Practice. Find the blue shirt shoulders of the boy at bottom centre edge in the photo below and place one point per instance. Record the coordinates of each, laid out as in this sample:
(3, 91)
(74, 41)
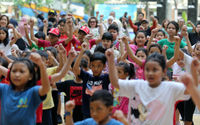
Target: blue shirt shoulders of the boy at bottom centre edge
(91, 121)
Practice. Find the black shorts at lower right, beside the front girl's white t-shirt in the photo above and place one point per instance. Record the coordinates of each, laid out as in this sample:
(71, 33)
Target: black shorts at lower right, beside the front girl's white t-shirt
(186, 109)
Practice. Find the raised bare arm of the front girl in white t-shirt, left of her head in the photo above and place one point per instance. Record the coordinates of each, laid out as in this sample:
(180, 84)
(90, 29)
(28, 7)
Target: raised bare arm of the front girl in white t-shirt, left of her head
(112, 68)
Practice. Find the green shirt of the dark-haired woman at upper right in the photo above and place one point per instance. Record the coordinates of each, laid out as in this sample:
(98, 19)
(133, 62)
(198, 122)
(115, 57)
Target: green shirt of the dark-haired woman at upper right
(170, 50)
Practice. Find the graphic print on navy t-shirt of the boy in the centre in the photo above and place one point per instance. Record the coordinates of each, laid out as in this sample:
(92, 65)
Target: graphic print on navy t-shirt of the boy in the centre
(93, 86)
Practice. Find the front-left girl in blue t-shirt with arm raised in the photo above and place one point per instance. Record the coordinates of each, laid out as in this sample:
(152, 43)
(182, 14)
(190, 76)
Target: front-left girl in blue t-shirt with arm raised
(22, 96)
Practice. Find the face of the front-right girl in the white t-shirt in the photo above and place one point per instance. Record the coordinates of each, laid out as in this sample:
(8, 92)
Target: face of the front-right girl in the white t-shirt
(153, 73)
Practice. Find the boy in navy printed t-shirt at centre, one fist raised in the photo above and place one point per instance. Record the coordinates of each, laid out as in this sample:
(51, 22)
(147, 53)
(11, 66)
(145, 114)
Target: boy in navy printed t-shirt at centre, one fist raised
(94, 82)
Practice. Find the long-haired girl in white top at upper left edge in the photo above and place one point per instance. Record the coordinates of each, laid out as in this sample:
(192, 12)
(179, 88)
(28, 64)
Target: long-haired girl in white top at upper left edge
(5, 44)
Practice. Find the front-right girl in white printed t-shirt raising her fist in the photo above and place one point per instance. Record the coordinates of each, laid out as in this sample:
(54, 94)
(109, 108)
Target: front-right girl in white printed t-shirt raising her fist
(155, 98)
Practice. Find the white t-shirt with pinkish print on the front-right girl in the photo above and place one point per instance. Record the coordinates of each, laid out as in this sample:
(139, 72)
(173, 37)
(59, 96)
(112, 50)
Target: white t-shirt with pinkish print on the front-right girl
(152, 106)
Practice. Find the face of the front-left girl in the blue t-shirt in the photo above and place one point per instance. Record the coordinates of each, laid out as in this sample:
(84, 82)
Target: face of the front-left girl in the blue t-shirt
(20, 75)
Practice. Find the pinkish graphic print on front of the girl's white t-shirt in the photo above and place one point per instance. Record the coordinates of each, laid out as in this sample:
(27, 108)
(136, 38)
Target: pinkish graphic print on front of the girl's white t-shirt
(139, 114)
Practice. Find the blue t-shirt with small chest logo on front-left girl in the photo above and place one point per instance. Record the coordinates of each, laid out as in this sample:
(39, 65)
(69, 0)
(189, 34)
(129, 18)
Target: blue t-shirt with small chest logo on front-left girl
(19, 108)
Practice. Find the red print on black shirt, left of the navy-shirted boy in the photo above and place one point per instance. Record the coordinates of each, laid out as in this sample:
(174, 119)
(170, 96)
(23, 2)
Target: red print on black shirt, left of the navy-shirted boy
(76, 94)
